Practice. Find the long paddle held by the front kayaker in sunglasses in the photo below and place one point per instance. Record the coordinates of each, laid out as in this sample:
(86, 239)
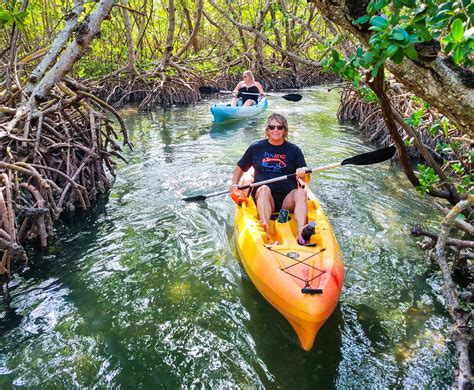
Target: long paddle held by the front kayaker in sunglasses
(369, 158)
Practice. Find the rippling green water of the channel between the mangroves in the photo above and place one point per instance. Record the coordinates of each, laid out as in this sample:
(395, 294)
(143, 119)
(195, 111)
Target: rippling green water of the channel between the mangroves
(146, 291)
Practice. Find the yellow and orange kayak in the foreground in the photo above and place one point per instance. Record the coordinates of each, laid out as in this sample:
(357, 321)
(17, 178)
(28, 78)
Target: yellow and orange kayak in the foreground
(302, 282)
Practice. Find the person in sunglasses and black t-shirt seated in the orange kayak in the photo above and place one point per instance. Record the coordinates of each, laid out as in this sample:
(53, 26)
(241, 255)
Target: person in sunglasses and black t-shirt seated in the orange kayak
(272, 157)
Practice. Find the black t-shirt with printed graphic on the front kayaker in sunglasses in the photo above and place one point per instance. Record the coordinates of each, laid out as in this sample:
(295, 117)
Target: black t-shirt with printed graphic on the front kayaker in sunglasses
(271, 161)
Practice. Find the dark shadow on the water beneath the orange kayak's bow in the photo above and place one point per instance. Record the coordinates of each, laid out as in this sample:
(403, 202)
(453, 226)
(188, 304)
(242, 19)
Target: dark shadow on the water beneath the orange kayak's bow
(277, 344)
